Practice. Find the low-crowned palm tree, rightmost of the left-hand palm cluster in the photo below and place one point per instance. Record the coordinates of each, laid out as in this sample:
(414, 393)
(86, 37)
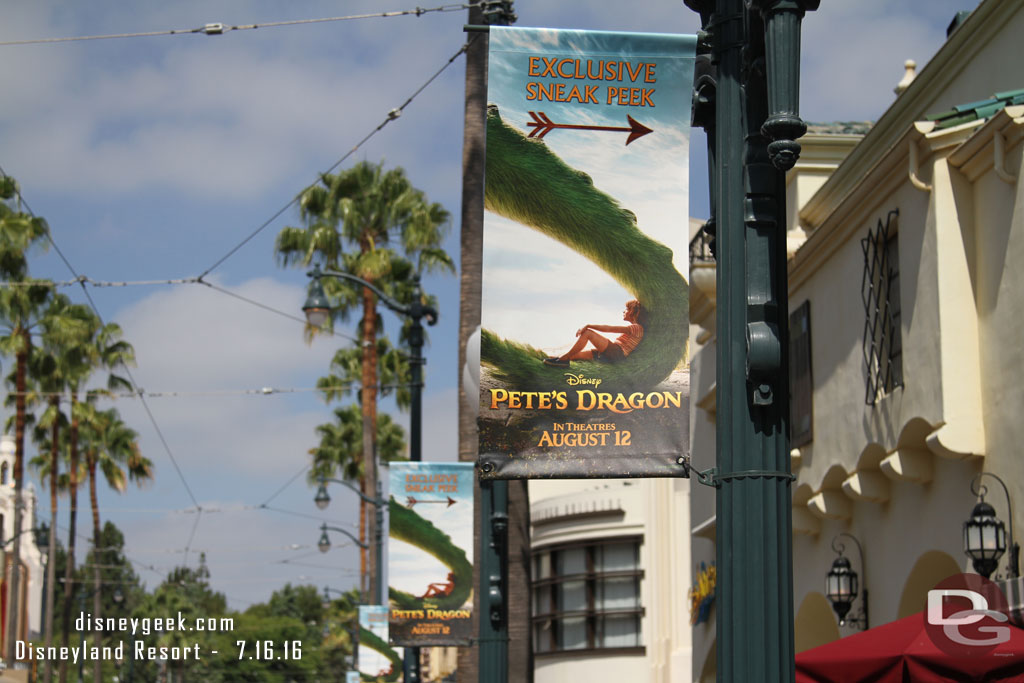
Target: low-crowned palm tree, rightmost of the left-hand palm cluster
(111, 448)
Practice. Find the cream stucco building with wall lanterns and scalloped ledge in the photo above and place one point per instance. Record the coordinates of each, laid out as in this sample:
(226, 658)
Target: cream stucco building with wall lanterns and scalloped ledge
(907, 300)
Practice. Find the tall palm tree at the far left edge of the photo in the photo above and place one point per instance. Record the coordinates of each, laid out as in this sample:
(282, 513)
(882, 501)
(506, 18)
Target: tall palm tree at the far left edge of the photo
(21, 304)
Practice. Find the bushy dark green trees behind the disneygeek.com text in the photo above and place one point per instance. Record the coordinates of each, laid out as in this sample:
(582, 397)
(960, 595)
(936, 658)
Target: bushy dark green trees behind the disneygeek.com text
(318, 632)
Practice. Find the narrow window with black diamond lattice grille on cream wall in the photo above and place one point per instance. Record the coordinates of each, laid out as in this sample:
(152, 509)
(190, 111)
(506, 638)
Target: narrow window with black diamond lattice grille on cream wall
(883, 344)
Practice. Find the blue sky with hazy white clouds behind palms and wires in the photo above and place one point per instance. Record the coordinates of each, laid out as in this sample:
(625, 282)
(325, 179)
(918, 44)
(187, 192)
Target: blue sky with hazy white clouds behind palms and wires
(167, 157)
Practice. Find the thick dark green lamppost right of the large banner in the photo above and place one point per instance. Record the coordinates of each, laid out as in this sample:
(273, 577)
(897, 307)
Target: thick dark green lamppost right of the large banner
(754, 92)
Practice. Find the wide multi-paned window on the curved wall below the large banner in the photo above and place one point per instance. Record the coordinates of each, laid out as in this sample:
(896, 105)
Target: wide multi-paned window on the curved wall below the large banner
(587, 596)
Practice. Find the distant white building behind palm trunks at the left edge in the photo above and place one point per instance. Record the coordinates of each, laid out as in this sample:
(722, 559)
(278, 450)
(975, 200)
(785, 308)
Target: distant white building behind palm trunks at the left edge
(30, 623)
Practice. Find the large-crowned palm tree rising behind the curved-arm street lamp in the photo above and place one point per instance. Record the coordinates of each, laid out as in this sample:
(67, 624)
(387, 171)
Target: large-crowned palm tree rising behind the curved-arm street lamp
(352, 222)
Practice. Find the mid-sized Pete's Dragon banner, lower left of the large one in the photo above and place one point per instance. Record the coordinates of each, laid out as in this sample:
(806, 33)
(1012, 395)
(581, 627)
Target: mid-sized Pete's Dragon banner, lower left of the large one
(431, 551)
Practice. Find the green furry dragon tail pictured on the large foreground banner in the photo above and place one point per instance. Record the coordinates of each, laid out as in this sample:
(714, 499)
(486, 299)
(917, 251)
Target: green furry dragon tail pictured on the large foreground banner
(529, 184)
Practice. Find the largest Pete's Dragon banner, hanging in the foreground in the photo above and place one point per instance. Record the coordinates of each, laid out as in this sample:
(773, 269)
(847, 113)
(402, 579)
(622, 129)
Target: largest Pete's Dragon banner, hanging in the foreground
(585, 311)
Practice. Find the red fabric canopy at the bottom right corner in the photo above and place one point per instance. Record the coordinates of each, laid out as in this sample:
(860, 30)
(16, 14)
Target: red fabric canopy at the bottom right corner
(902, 653)
